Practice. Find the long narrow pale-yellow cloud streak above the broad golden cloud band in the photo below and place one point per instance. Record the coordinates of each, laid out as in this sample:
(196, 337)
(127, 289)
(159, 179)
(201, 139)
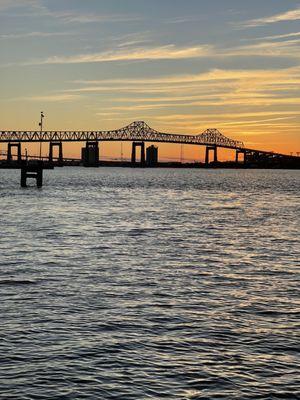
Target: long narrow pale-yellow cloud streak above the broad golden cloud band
(170, 52)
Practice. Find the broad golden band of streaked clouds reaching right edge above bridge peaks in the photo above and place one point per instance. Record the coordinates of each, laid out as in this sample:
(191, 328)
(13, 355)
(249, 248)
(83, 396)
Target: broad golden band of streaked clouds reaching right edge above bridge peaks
(237, 90)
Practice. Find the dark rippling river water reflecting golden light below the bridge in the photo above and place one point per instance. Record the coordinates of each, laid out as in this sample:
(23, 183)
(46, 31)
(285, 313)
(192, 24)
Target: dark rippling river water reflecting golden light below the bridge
(150, 284)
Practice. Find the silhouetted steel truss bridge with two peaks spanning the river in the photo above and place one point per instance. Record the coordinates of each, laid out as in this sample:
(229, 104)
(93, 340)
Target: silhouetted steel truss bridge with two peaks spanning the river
(137, 132)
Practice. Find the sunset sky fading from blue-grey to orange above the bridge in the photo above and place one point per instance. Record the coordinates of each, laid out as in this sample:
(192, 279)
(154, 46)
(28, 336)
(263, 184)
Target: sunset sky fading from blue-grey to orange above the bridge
(181, 66)
